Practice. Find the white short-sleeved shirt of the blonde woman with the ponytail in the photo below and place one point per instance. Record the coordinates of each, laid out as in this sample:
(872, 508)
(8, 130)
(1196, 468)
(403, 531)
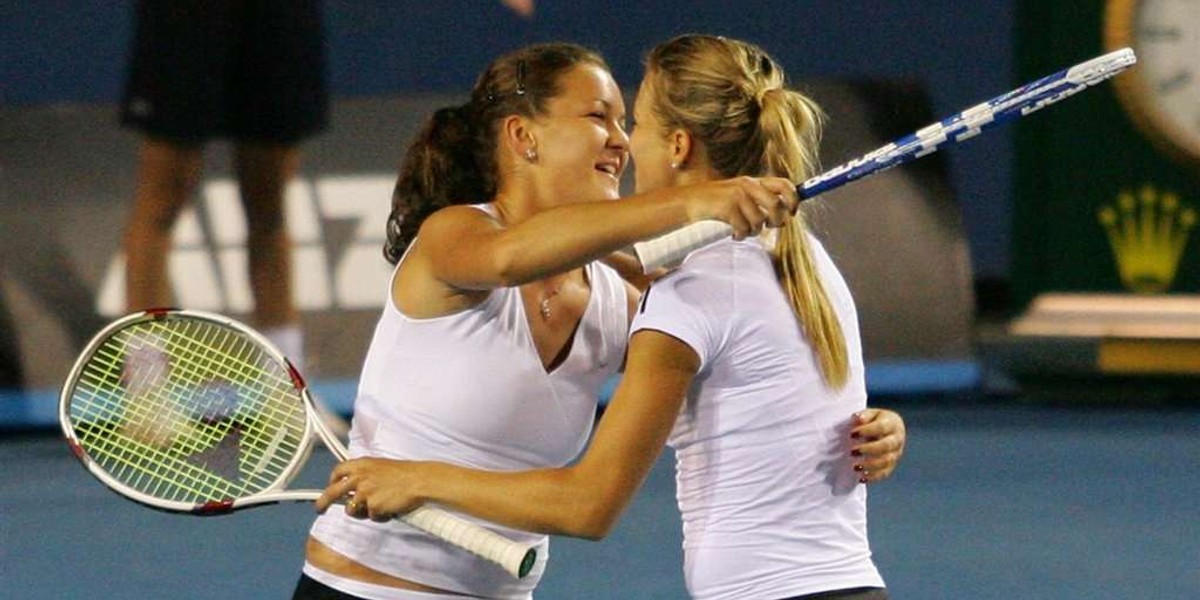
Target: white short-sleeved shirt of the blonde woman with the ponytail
(771, 503)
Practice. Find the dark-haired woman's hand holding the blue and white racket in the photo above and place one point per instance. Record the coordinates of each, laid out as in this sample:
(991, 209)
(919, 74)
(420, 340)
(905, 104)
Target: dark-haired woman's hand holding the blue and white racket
(746, 203)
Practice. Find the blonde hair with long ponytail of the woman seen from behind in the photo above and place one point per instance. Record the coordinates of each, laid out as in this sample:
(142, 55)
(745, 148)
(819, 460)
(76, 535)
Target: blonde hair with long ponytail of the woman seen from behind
(733, 98)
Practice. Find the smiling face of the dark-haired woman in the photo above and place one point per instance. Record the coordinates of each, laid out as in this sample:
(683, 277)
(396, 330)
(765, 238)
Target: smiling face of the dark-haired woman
(580, 139)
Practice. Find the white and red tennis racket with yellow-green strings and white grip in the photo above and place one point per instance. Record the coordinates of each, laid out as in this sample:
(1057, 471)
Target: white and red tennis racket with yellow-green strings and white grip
(197, 413)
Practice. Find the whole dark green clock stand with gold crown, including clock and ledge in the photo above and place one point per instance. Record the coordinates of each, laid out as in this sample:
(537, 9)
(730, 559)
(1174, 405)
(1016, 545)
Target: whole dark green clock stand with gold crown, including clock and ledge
(1106, 245)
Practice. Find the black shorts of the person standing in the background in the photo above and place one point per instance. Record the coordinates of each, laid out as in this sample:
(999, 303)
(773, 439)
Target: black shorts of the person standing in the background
(248, 70)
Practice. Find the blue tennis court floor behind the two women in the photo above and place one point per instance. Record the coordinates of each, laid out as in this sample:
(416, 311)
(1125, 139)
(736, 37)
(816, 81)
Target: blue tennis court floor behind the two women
(995, 501)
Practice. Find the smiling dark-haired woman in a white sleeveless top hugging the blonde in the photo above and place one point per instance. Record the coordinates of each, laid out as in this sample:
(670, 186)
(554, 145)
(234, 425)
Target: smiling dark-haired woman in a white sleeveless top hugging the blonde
(501, 328)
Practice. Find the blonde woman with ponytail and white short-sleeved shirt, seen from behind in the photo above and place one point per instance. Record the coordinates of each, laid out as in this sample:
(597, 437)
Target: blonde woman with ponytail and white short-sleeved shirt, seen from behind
(747, 361)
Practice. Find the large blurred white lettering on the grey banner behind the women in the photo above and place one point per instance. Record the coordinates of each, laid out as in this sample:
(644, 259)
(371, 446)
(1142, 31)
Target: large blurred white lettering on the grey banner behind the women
(208, 263)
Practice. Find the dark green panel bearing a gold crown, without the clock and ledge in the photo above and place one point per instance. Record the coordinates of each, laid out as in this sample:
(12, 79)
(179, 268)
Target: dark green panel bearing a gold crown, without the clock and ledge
(1101, 205)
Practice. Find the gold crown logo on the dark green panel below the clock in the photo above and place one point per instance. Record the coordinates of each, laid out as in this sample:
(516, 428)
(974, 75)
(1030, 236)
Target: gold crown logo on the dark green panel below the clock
(1148, 233)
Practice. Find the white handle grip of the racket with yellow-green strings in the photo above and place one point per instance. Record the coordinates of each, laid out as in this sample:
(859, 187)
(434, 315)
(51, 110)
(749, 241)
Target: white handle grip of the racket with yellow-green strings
(517, 559)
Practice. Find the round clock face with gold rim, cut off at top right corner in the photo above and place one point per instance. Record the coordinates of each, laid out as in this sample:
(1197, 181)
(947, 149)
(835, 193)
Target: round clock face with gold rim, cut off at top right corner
(1163, 92)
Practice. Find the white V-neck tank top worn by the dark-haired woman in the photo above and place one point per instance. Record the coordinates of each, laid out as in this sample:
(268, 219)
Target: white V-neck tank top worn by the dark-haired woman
(471, 389)
